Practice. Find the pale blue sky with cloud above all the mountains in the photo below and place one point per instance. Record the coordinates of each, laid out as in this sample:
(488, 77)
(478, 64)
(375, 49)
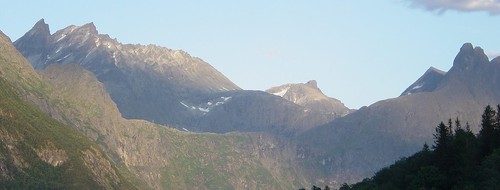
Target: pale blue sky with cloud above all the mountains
(359, 51)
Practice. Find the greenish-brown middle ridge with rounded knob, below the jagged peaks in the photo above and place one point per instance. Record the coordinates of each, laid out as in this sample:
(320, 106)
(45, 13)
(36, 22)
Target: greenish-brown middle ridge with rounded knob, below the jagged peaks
(167, 158)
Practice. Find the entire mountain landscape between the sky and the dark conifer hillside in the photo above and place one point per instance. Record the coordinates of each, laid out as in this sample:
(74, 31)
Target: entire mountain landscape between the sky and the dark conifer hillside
(79, 103)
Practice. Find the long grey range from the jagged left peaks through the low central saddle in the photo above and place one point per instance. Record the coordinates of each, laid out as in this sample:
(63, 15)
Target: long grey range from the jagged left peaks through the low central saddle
(166, 86)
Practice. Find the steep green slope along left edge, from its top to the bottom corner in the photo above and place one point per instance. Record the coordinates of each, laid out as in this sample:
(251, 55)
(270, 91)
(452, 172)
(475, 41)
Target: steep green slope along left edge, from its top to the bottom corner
(36, 151)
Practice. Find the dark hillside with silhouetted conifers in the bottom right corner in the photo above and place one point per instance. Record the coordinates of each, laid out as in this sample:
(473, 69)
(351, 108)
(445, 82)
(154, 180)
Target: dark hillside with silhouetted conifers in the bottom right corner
(458, 160)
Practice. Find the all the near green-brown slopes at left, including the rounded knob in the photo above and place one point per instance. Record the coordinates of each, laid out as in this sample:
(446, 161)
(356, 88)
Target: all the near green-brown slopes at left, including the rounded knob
(106, 151)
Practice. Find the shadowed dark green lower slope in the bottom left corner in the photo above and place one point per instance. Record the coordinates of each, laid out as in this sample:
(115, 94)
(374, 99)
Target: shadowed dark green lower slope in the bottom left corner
(26, 132)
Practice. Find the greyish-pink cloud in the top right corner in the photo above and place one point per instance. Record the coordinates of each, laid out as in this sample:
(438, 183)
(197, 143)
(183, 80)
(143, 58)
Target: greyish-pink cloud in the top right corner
(441, 6)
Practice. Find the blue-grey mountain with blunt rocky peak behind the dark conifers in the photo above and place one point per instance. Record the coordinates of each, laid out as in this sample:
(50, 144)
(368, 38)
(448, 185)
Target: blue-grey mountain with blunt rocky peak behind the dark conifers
(375, 136)
